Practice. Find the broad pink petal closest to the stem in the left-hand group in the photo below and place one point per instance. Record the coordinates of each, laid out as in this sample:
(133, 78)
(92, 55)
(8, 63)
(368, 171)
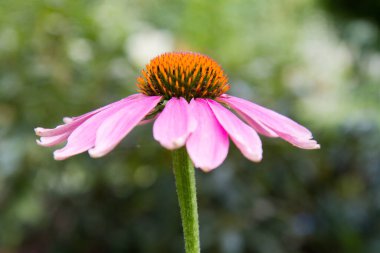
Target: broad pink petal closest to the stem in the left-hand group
(118, 125)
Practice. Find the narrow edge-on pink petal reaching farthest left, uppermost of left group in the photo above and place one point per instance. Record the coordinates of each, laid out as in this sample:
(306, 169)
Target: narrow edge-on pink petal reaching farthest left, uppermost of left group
(73, 122)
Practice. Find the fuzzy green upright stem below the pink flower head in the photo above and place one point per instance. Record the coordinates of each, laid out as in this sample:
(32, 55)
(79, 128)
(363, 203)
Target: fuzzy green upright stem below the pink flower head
(187, 198)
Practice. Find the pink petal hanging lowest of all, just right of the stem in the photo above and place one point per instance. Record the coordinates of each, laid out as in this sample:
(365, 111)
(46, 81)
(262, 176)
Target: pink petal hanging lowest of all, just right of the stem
(208, 144)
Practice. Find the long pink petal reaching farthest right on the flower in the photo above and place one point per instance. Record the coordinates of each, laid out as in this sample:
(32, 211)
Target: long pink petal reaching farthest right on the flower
(263, 119)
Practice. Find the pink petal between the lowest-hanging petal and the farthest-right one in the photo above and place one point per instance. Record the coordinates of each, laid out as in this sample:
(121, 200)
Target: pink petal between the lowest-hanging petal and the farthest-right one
(244, 137)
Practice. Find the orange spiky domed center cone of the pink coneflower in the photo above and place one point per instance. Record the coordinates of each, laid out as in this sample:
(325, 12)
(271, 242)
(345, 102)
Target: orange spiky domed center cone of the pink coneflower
(183, 74)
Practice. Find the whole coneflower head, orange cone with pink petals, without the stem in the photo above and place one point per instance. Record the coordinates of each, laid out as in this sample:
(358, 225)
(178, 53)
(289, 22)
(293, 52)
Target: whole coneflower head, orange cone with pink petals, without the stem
(185, 93)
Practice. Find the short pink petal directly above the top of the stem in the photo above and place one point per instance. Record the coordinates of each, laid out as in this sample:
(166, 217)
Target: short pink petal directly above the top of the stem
(174, 124)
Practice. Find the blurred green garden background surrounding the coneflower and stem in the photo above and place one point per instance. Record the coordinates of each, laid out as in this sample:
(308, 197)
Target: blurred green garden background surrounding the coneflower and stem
(316, 61)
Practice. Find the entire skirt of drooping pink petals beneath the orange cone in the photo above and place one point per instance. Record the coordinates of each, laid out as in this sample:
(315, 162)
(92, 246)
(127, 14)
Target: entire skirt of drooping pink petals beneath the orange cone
(202, 125)
